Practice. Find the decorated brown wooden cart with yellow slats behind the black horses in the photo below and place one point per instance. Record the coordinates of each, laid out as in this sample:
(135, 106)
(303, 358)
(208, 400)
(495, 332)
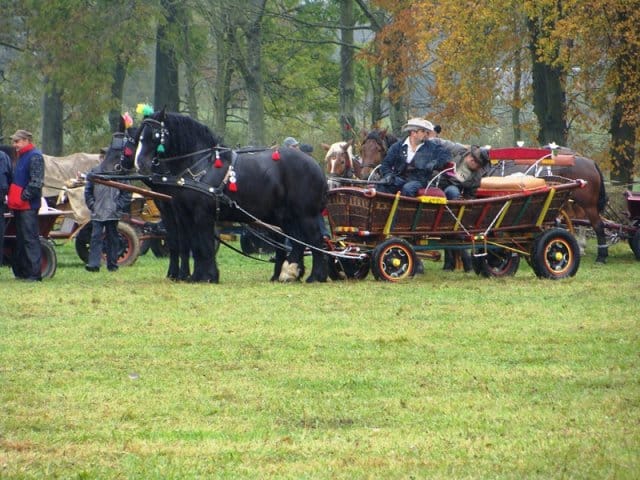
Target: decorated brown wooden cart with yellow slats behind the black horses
(388, 233)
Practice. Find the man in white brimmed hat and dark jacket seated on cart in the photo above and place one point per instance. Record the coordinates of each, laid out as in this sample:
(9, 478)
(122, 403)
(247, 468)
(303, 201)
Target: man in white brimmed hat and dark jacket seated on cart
(409, 163)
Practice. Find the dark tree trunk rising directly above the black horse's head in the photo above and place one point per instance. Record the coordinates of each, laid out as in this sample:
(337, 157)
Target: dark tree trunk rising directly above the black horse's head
(167, 91)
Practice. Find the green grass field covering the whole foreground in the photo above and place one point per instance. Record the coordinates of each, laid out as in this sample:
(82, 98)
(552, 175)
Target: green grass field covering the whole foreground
(128, 375)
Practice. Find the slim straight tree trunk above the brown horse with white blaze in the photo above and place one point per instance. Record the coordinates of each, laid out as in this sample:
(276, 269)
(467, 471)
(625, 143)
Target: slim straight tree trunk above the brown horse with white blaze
(347, 83)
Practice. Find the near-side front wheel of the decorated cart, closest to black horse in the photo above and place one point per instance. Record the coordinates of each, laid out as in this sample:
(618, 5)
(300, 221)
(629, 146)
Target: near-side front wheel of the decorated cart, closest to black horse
(393, 260)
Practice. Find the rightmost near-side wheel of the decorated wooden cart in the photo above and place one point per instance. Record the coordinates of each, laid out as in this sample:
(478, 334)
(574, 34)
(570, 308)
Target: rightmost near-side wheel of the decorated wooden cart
(555, 254)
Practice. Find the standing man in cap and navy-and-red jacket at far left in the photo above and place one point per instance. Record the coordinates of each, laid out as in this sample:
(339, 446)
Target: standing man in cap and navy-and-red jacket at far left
(24, 199)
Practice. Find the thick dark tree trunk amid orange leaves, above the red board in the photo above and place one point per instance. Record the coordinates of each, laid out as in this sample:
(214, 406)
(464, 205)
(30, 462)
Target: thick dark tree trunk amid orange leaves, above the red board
(549, 98)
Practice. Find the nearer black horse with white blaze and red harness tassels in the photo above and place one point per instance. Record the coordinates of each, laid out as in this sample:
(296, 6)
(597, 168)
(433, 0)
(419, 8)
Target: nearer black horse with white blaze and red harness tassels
(208, 182)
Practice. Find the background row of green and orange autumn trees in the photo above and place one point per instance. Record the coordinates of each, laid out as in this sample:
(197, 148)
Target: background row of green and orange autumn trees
(255, 71)
